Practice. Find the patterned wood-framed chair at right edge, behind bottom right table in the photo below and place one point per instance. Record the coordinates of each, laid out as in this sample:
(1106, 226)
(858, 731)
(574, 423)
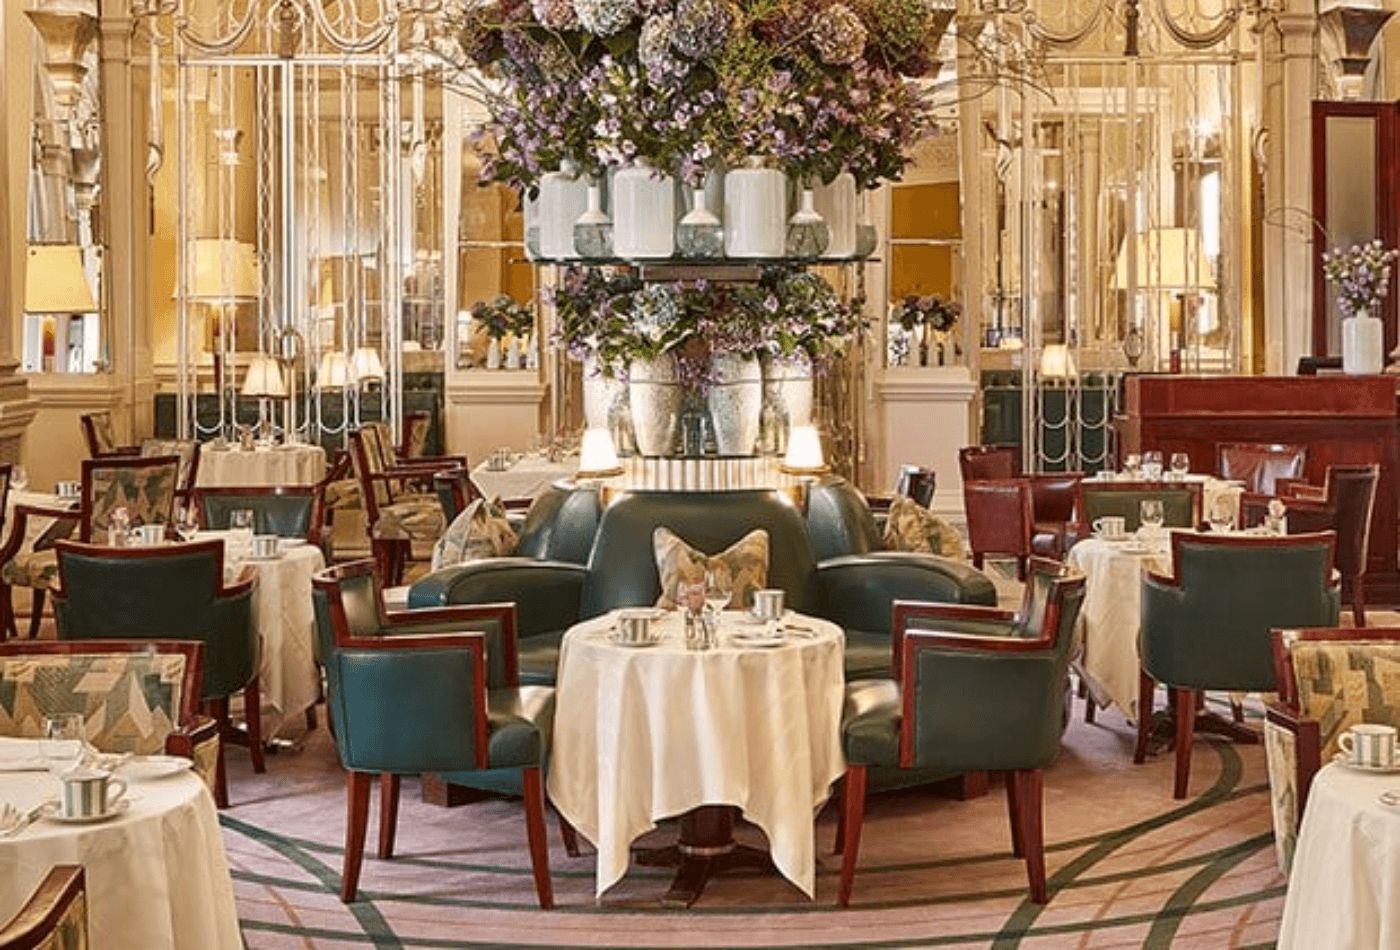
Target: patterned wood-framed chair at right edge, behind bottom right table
(1329, 681)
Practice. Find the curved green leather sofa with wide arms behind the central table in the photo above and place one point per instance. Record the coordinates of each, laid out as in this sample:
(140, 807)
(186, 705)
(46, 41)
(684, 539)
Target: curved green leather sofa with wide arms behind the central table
(621, 572)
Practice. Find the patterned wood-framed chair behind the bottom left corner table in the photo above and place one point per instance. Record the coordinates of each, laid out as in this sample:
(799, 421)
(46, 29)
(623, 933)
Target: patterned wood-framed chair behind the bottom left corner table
(138, 697)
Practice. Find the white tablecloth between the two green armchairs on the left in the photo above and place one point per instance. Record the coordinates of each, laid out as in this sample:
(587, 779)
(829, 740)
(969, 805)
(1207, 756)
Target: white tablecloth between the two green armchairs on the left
(288, 625)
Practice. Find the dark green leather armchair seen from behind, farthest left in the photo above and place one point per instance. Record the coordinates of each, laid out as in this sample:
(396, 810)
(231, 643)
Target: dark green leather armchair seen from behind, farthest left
(171, 593)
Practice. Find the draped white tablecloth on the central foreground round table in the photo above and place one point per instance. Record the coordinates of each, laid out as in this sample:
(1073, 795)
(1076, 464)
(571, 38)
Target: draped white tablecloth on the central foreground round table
(642, 735)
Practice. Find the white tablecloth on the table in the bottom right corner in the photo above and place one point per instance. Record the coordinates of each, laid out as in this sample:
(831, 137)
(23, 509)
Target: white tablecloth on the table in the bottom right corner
(1345, 889)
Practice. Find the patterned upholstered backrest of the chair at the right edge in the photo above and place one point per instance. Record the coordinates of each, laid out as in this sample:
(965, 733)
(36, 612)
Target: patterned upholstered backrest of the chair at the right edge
(1343, 683)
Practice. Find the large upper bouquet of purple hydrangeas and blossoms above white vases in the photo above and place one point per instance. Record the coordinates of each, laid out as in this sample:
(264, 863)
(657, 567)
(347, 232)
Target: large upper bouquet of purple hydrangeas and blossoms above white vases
(815, 86)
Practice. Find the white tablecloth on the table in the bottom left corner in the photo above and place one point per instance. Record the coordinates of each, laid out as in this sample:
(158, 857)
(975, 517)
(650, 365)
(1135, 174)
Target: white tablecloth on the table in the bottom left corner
(157, 877)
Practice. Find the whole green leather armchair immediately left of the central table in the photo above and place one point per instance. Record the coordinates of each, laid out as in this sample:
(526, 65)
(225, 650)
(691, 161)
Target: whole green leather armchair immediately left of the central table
(409, 697)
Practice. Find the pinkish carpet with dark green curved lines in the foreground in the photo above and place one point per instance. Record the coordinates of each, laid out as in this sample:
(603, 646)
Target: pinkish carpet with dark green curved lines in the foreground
(1129, 868)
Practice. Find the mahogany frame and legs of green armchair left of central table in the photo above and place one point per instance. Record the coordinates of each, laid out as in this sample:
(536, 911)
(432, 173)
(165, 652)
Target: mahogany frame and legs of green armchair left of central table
(358, 784)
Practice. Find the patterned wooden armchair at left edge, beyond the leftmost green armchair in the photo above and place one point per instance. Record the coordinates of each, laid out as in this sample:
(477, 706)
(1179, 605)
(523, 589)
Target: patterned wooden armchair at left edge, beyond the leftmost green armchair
(145, 488)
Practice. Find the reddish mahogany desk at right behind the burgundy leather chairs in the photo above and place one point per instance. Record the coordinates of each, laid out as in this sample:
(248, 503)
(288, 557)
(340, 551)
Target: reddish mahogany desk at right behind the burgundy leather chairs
(1342, 420)
